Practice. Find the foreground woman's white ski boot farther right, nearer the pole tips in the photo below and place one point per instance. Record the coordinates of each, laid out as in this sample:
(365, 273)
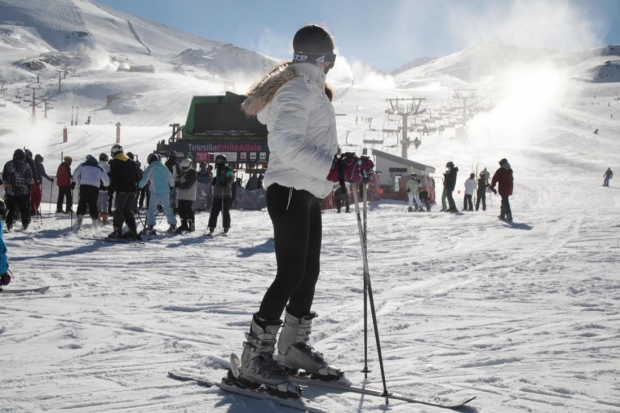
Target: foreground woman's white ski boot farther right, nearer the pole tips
(295, 353)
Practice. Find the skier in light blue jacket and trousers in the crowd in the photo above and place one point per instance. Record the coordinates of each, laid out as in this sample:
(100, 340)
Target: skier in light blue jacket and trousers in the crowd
(161, 180)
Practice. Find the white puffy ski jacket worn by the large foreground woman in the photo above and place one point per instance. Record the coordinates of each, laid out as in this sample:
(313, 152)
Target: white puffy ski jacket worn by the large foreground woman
(302, 127)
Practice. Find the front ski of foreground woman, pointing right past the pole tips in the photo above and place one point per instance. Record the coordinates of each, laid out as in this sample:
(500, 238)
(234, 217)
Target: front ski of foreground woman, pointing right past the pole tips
(339, 385)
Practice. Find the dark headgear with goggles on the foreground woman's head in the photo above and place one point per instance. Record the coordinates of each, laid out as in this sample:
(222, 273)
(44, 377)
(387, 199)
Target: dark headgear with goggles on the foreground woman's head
(314, 44)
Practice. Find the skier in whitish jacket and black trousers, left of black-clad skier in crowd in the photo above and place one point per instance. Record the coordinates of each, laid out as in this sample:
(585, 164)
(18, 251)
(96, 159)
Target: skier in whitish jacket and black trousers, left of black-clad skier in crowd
(91, 176)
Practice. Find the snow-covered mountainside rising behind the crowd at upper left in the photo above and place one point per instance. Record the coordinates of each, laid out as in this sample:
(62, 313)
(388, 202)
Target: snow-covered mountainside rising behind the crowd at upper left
(106, 53)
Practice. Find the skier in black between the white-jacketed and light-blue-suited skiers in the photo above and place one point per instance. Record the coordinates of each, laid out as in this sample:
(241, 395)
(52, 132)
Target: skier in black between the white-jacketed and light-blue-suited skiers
(123, 181)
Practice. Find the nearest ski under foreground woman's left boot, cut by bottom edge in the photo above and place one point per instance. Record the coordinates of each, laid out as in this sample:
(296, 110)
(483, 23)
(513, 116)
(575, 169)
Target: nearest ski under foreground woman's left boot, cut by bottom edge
(261, 393)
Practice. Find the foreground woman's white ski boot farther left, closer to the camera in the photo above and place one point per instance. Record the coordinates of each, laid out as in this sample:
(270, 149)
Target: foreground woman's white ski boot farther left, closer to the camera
(257, 365)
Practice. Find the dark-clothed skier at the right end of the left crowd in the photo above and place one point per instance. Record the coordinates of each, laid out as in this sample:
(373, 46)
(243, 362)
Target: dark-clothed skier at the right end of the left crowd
(222, 185)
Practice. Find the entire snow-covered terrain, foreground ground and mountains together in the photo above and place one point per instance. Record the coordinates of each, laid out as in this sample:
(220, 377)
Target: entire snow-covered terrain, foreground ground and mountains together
(523, 315)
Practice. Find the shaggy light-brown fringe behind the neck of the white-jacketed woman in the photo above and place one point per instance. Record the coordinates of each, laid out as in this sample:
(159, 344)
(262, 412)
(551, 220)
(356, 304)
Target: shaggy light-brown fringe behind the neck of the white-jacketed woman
(263, 92)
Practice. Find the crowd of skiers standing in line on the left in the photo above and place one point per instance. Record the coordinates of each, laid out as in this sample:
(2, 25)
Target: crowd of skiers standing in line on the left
(118, 180)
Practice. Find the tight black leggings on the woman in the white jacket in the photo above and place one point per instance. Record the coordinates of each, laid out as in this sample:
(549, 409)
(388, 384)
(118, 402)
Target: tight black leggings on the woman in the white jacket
(297, 238)
